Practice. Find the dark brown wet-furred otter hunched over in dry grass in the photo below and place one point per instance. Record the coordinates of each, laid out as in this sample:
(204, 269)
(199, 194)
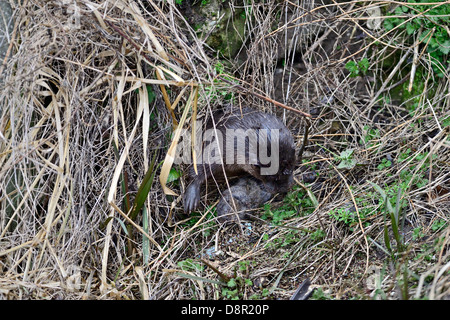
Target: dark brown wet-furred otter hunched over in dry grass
(243, 142)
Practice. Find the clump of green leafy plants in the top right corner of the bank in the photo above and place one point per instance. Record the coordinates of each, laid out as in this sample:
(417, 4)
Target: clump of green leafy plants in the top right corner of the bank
(430, 23)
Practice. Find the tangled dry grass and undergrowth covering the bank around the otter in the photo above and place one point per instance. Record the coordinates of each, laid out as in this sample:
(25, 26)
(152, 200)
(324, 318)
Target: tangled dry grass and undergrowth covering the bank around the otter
(92, 90)
